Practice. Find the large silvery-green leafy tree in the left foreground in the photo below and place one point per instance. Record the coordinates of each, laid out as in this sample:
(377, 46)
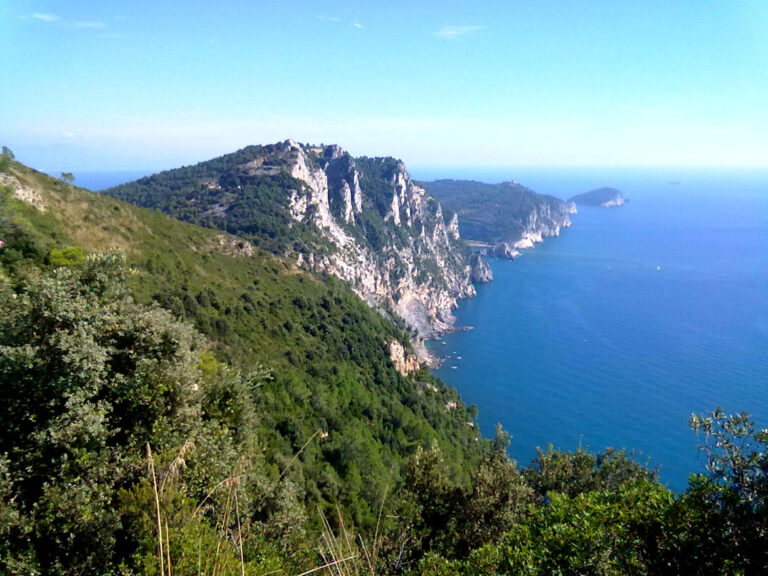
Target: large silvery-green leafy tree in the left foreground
(87, 377)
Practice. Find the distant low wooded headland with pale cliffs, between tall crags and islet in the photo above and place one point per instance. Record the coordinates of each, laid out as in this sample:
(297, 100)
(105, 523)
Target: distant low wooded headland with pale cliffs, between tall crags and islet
(504, 218)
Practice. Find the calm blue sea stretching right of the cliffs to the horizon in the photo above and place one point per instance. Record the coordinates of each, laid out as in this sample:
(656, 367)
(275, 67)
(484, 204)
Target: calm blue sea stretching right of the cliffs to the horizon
(615, 332)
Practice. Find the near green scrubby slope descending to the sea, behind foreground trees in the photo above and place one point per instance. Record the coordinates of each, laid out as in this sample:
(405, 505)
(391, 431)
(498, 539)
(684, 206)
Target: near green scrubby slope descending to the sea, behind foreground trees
(334, 364)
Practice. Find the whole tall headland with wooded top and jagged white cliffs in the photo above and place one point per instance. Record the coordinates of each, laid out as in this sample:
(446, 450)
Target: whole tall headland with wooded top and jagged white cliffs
(362, 220)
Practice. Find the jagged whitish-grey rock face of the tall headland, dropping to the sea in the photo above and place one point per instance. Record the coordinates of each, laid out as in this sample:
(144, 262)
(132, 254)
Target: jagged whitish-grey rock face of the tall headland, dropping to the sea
(404, 257)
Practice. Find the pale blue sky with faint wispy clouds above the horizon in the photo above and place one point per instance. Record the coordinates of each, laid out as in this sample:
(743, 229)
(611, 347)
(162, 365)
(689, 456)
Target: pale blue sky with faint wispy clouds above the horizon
(99, 85)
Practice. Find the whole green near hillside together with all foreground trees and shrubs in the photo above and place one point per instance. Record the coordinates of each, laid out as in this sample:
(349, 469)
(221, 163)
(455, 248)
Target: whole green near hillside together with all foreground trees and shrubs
(179, 402)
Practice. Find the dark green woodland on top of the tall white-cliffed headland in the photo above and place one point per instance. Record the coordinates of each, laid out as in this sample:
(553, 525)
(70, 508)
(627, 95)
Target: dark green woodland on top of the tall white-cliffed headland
(230, 194)
